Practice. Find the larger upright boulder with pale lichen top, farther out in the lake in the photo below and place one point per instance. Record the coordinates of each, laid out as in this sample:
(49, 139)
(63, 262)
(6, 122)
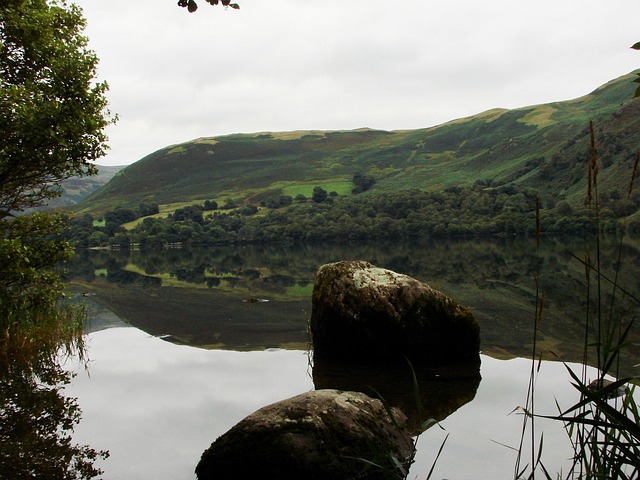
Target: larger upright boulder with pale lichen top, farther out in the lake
(363, 312)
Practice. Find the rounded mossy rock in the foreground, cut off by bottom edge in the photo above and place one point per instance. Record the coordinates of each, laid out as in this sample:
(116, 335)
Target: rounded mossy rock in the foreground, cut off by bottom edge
(323, 434)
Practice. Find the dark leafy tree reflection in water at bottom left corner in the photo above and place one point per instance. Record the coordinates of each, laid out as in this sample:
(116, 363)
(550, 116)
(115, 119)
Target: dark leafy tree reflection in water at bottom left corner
(36, 422)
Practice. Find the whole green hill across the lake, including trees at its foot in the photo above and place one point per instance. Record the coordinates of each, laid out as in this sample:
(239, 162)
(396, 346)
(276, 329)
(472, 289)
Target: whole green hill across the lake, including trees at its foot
(503, 172)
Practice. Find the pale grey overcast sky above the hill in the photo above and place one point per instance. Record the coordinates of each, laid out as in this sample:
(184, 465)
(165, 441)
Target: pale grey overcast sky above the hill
(277, 65)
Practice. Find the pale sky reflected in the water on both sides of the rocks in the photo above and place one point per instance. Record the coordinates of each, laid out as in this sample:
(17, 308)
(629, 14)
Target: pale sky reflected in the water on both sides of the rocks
(156, 406)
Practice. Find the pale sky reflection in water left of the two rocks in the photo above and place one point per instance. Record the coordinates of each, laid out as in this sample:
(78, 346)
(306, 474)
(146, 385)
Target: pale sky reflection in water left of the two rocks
(156, 405)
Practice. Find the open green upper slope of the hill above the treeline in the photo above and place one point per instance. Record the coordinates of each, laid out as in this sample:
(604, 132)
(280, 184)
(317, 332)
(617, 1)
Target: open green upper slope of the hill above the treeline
(545, 147)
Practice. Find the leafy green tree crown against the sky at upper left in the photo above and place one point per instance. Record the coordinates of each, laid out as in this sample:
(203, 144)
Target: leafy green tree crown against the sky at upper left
(52, 113)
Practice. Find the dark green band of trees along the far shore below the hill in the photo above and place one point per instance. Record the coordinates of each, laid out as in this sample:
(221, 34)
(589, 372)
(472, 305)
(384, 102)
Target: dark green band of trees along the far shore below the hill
(481, 209)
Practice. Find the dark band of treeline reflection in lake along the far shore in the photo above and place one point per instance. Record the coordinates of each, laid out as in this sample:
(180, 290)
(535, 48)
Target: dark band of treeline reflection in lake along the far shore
(483, 262)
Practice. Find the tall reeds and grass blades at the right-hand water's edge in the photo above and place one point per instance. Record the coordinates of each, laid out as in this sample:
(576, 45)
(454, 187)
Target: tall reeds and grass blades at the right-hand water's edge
(604, 424)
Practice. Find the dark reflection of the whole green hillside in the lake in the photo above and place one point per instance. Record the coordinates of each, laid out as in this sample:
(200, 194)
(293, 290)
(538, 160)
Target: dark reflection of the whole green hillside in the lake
(198, 296)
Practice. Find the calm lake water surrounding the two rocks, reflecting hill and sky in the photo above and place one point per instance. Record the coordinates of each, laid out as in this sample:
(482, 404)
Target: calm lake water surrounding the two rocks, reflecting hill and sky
(178, 355)
